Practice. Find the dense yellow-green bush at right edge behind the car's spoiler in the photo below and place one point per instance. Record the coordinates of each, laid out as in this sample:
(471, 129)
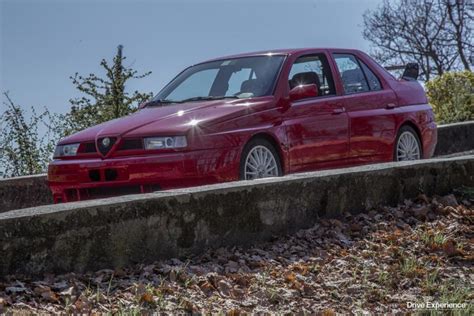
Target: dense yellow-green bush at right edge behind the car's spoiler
(452, 96)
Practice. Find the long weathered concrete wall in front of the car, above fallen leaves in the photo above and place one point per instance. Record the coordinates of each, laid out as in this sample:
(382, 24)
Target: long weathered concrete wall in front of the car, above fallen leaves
(115, 232)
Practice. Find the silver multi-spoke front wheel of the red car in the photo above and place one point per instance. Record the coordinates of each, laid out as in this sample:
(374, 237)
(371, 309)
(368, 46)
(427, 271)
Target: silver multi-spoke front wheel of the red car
(250, 163)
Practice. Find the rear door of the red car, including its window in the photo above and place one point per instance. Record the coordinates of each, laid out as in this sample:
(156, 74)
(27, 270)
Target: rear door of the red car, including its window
(370, 106)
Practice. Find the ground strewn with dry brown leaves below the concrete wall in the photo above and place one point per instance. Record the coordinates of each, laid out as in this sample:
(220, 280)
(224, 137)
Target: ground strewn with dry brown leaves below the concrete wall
(380, 261)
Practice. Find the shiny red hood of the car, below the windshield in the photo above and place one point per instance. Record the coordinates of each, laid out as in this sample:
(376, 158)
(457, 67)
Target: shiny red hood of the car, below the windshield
(172, 119)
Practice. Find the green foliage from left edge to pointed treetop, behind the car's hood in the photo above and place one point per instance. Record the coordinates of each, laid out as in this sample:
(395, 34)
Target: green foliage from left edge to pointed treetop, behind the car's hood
(26, 146)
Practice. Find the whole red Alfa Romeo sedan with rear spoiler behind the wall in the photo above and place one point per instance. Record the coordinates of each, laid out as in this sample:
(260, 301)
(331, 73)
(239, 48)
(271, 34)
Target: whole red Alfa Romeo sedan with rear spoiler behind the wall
(250, 116)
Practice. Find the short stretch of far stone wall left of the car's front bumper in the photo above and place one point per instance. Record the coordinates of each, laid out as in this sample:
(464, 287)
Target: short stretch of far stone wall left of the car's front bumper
(23, 192)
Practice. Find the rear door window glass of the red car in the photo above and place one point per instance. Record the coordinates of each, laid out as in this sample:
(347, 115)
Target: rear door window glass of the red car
(356, 76)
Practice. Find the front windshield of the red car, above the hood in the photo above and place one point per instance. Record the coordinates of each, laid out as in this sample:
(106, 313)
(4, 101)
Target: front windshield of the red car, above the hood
(244, 77)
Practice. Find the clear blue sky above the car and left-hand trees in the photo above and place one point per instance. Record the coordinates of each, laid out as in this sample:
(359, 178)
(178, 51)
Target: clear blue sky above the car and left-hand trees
(43, 42)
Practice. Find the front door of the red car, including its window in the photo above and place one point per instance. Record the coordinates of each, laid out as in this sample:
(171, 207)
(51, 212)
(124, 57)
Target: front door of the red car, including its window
(316, 127)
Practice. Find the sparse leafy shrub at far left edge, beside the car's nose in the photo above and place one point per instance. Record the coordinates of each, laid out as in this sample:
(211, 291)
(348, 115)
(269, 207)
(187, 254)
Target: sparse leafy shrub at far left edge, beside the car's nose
(23, 151)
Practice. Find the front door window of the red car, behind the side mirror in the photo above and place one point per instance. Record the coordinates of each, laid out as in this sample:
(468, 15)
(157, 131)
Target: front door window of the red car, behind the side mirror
(312, 69)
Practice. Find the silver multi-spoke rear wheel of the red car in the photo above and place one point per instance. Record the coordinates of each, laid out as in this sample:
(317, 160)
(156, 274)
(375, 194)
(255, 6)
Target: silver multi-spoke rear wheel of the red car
(407, 139)
